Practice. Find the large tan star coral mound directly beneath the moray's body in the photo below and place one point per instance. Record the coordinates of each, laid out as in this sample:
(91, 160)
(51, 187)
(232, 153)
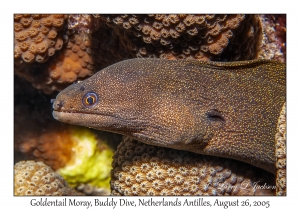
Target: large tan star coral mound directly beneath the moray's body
(140, 169)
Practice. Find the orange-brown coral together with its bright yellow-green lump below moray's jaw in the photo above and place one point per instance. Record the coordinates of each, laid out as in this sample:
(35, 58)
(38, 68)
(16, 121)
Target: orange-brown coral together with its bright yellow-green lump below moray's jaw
(76, 153)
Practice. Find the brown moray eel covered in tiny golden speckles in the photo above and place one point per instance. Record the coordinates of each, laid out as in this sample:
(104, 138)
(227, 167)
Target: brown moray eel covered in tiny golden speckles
(225, 109)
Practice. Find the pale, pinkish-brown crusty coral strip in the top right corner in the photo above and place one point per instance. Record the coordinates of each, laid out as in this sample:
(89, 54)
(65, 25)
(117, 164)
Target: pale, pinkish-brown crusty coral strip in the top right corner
(274, 37)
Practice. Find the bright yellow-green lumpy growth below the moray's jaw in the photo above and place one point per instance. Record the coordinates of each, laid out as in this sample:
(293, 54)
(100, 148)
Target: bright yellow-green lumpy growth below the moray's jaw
(91, 162)
